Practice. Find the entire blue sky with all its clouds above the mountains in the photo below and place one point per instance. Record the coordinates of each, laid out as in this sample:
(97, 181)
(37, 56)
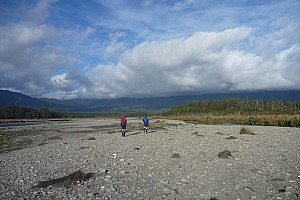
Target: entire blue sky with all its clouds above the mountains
(105, 49)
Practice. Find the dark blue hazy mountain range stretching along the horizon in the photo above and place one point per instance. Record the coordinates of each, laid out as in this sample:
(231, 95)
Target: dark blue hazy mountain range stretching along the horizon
(155, 104)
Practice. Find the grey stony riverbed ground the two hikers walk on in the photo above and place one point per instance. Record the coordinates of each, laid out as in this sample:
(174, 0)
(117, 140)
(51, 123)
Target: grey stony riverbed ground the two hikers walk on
(175, 160)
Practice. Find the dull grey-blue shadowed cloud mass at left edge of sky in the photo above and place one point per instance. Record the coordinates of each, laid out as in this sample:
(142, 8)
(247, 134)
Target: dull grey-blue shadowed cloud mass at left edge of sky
(30, 53)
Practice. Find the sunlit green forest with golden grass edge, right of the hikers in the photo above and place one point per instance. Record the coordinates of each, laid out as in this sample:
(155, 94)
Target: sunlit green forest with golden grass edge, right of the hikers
(236, 111)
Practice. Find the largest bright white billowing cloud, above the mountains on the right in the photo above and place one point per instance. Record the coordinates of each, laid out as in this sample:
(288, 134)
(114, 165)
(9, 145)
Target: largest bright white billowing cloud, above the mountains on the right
(204, 62)
